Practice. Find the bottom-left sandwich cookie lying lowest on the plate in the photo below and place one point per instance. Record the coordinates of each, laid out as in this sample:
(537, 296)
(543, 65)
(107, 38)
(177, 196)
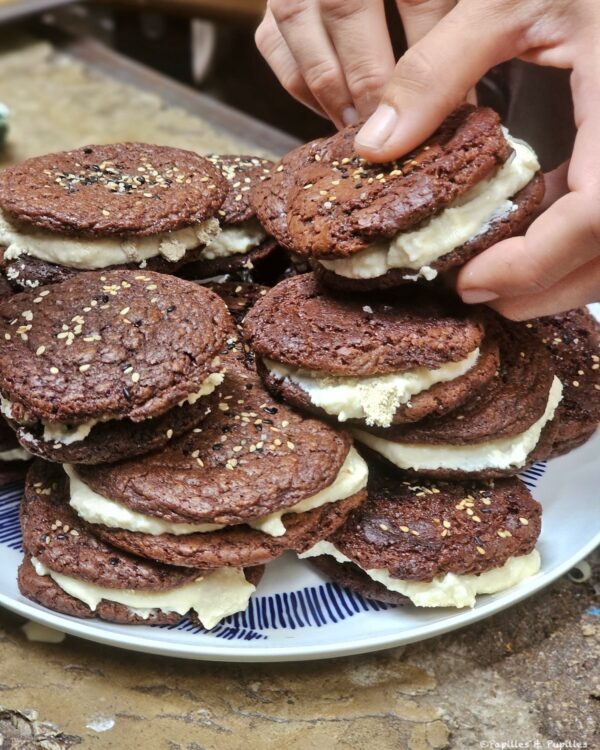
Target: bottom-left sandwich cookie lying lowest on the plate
(68, 569)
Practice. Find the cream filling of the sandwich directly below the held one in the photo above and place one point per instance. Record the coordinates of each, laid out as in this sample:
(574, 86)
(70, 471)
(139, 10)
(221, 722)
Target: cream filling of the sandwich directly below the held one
(374, 399)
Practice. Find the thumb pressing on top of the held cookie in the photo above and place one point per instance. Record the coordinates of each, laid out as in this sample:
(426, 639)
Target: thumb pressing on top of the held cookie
(435, 75)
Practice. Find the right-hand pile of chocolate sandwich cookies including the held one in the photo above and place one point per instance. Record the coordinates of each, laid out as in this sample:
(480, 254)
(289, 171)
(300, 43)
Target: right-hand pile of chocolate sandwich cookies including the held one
(448, 402)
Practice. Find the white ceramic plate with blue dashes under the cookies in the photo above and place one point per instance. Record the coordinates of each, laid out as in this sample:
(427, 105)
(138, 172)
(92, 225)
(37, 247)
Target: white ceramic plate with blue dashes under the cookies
(297, 614)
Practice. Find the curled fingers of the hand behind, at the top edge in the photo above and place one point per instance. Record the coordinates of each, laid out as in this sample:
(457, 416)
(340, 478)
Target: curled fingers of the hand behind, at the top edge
(336, 56)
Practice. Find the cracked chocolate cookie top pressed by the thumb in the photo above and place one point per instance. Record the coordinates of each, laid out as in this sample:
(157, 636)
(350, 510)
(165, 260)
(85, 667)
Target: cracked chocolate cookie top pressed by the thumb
(324, 201)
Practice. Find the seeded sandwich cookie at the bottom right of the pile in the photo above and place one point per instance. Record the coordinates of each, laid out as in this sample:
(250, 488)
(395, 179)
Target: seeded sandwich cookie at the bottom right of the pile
(437, 544)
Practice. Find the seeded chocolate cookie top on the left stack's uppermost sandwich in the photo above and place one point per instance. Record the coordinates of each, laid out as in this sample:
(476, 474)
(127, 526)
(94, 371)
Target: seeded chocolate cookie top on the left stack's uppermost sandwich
(118, 344)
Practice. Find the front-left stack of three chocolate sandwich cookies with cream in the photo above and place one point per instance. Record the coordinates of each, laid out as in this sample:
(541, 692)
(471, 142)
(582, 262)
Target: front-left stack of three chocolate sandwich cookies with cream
(167, 476)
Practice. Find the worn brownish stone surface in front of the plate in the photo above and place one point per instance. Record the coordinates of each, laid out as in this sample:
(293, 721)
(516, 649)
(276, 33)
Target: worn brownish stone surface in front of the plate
(530, 673)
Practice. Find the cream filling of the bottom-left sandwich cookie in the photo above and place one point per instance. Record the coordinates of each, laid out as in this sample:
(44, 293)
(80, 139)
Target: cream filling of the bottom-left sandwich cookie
(213, 596)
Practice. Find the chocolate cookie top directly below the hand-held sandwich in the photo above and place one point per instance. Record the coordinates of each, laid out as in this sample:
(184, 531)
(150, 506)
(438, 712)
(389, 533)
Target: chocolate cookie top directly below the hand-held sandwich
(302, 325)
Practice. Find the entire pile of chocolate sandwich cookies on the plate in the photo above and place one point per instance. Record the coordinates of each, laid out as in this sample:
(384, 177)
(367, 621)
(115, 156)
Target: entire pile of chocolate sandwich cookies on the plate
(359, 415)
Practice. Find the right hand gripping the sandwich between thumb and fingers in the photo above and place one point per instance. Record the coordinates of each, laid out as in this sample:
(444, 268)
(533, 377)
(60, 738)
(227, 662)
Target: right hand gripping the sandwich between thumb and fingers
(556, 264)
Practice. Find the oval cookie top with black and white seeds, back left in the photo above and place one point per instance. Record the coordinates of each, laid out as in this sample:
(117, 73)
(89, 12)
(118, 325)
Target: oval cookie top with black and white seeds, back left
(110, 190)
